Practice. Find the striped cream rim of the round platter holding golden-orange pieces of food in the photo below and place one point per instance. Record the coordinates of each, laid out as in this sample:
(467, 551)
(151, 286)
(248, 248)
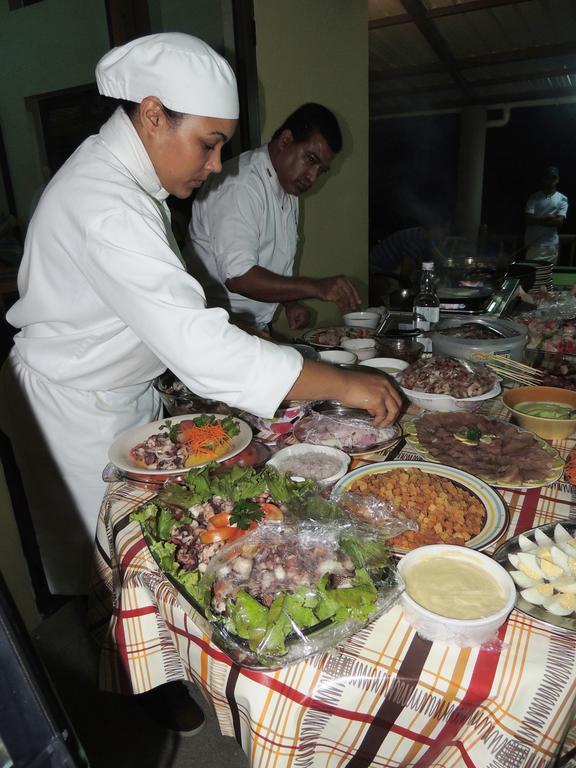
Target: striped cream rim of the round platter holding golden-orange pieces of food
(496, 512)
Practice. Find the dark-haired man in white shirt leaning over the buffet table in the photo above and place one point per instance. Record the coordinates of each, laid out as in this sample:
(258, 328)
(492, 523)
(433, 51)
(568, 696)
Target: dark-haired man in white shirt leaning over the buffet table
(243, 231)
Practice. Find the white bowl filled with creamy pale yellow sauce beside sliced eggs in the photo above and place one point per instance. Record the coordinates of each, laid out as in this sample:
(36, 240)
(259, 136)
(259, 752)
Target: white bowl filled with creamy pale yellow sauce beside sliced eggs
(455, 594)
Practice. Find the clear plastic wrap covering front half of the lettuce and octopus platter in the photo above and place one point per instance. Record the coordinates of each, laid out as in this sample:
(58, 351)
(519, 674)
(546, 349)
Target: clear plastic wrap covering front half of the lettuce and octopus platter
(286, 591)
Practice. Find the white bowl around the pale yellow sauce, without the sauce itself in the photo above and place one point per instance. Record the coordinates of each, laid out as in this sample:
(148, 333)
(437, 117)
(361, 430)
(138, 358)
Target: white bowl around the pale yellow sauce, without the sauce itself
(461, 632)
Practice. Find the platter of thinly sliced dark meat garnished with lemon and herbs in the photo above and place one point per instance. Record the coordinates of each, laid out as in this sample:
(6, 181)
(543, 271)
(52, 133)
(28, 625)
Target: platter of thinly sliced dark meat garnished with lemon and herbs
(498, 452)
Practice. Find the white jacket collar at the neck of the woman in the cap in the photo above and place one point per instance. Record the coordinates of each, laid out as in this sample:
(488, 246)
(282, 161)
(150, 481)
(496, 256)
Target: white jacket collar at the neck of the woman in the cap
(123, 141)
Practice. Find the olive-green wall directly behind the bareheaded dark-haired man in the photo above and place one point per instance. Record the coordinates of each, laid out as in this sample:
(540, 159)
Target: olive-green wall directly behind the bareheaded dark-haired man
(318, 51)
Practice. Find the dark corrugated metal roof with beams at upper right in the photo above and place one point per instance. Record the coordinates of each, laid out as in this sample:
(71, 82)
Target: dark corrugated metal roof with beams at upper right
(437, 54)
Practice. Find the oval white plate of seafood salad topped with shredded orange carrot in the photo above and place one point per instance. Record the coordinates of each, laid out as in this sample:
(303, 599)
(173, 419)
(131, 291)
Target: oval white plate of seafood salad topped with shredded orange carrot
(171, 446)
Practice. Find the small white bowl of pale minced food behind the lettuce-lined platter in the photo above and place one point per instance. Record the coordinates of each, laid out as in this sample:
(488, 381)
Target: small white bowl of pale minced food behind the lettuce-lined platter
(322, 463)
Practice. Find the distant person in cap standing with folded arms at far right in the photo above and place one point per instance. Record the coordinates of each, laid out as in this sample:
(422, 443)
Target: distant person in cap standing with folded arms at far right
(546, 210)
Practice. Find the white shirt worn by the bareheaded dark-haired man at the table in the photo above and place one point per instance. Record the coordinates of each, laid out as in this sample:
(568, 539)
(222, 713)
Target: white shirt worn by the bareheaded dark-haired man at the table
(241, 219)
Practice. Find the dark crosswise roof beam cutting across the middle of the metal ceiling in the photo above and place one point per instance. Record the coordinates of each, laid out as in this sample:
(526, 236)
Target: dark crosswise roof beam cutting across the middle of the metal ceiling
(503, 57)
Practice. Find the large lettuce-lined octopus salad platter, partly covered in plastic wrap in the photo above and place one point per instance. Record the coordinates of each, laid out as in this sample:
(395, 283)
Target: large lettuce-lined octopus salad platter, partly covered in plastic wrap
(269, 581)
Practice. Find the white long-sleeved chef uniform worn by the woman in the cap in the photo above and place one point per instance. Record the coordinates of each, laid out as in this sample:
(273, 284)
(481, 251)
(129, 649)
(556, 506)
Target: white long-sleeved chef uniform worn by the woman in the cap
(105, 306)
